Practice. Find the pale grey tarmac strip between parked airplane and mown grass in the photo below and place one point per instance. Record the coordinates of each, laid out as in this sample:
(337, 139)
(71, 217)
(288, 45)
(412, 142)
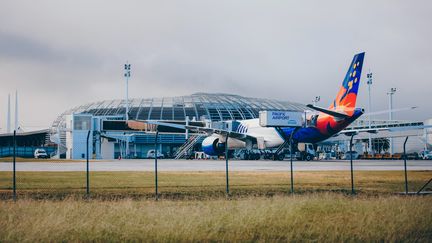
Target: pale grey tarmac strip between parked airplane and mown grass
(219, 165)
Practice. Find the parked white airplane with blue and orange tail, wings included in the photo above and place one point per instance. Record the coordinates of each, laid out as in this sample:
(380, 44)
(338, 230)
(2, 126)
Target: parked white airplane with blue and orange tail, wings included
(249, 134)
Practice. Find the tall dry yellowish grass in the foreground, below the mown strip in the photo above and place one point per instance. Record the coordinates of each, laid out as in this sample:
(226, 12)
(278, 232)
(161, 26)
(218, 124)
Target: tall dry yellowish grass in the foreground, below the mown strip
(320, 217)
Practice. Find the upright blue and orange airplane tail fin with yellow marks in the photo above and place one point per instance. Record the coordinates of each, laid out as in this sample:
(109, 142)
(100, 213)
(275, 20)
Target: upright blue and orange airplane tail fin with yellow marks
(347, 95)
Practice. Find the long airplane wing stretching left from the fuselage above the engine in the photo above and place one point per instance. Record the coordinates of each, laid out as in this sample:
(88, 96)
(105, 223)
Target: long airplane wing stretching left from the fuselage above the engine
(141, 125)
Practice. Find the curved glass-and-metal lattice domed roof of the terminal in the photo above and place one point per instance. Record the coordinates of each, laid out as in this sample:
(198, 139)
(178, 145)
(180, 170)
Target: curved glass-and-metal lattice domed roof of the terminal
(198, 106)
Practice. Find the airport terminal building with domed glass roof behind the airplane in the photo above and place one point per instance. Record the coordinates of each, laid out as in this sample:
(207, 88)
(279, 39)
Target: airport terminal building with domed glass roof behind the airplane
(111, 138)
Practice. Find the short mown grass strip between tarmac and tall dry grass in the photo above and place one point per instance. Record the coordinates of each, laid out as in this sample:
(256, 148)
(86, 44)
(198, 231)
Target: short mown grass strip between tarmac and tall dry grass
(203, 185)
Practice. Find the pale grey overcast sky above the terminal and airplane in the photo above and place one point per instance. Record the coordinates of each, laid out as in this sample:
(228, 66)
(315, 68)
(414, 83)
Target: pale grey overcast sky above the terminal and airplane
(61, 54)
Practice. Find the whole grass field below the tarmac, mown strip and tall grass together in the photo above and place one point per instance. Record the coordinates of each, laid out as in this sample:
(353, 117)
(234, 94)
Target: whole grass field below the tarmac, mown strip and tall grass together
(50, 207)
